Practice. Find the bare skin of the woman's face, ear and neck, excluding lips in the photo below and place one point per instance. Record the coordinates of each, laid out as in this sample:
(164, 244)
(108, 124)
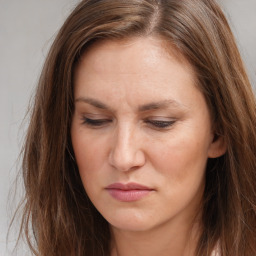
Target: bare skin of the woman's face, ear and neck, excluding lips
(152, 127)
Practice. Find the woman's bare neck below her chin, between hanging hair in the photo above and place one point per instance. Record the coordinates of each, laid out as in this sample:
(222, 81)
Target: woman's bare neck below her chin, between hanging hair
(166, 240)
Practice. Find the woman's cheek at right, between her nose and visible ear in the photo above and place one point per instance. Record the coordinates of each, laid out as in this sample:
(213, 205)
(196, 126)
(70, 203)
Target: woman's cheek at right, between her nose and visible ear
(180, 158)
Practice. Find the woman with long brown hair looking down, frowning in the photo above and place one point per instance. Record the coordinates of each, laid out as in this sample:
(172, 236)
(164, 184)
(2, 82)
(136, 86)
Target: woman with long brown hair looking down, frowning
(142, 135)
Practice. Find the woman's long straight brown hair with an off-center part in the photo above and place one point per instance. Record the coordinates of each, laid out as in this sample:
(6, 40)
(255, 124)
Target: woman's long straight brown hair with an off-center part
(57, 210)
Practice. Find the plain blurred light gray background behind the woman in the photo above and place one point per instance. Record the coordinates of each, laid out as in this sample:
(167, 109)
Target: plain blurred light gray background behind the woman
(27, 28)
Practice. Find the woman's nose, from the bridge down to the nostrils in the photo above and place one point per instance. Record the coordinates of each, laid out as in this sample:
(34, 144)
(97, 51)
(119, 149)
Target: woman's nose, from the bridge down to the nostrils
(126, 151)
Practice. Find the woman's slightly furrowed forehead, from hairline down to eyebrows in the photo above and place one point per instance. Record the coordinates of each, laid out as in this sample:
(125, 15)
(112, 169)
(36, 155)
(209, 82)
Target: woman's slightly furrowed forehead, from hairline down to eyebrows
(134, 70)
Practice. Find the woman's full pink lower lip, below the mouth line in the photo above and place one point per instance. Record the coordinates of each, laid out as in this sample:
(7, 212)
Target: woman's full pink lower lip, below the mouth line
(128, 195)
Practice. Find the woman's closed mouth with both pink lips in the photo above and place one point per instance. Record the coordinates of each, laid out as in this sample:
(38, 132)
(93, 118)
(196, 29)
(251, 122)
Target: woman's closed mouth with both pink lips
(128, 192)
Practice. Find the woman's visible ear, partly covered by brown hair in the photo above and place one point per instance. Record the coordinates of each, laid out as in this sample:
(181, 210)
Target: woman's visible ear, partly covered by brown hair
(218, 147)
